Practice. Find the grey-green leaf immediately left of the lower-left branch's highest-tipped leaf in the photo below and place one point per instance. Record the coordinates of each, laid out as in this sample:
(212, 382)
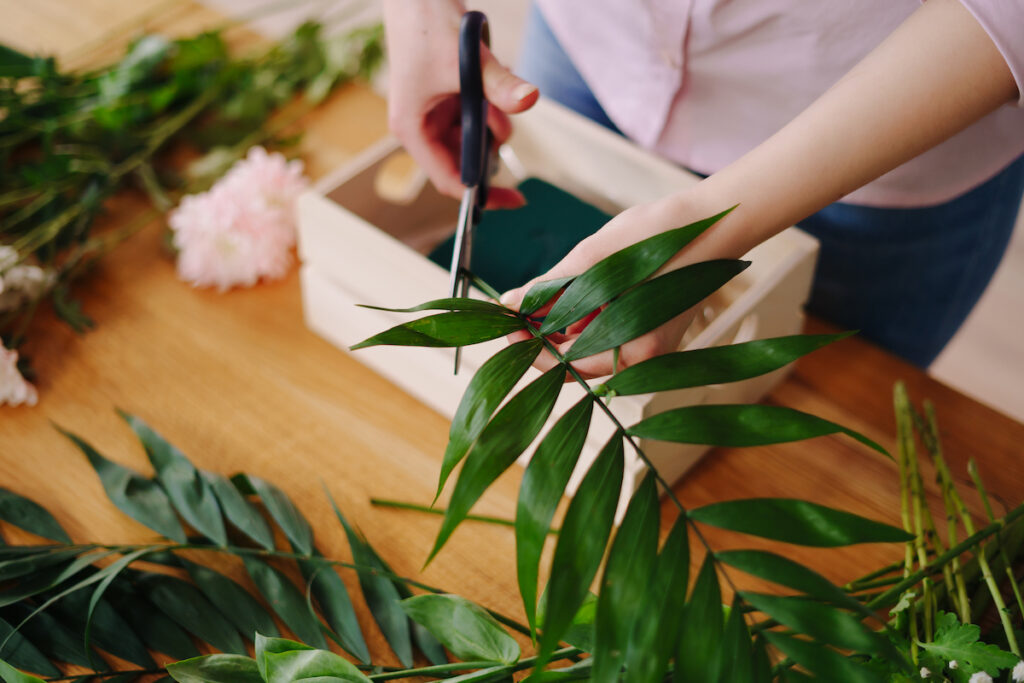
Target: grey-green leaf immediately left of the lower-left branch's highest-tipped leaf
(141, 499)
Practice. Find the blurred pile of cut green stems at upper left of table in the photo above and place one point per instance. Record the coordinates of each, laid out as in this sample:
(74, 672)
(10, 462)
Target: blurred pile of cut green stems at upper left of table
(71, 141)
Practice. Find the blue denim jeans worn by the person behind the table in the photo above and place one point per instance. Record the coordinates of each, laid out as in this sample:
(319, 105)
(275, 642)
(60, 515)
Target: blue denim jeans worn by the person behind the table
(907, 279)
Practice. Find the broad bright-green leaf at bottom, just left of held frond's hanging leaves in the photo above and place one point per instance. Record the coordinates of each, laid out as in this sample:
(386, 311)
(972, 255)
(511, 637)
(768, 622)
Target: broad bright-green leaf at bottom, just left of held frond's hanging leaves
(466, 629)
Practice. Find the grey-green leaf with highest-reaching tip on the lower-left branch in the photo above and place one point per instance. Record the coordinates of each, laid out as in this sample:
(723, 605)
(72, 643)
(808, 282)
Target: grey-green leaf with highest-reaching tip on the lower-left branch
(192, 496)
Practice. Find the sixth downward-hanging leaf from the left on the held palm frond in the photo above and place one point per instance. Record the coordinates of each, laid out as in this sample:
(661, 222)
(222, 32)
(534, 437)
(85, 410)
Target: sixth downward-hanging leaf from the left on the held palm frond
(654, 641)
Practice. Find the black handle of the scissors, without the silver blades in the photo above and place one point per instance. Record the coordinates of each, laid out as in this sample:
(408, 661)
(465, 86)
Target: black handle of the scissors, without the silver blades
(473, 32)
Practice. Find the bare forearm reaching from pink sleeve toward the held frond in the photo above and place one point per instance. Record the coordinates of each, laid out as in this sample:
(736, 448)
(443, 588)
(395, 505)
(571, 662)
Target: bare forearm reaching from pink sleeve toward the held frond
(934, 76)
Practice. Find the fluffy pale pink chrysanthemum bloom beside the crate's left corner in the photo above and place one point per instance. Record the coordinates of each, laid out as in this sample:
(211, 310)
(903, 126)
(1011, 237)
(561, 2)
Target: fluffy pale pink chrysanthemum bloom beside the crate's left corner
(244, 228)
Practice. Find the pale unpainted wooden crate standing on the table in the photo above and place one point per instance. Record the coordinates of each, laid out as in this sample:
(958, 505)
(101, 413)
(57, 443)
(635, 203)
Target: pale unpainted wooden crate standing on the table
(359, 247)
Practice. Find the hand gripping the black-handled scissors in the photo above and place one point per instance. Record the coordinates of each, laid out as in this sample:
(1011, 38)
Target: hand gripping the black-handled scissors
(423, 92)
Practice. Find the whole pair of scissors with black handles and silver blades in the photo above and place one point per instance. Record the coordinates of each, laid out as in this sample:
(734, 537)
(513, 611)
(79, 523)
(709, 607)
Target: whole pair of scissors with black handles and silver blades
(478, 142)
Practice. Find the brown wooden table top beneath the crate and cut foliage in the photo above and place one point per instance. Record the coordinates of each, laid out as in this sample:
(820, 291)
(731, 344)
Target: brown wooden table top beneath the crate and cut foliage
(239, 383)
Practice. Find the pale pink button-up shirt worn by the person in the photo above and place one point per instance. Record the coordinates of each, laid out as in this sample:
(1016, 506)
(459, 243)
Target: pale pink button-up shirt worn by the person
(703, 82)
